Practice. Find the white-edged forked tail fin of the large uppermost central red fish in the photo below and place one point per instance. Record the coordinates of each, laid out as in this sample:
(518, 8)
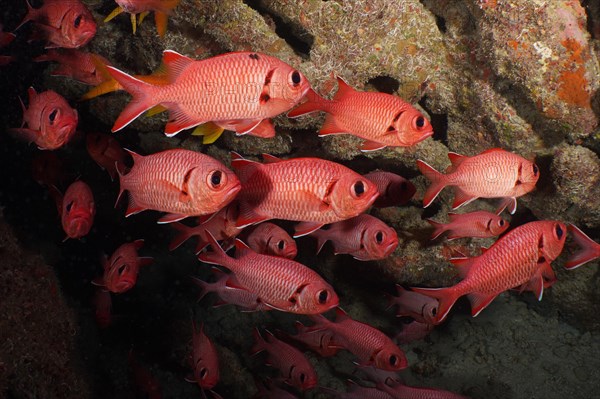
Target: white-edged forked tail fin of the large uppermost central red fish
(143, 98)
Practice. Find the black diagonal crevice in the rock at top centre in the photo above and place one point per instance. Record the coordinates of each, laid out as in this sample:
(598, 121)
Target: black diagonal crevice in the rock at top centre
(296, 36)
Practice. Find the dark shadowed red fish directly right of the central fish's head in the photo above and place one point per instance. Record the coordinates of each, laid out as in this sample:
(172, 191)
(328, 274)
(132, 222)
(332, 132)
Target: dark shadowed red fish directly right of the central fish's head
(393, 189)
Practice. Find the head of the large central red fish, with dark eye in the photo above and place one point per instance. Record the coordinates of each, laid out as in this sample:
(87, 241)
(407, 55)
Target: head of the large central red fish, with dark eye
(351, 195)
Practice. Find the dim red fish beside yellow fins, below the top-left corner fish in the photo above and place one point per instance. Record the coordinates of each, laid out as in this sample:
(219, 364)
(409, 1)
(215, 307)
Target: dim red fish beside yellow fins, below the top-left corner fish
(79, 65)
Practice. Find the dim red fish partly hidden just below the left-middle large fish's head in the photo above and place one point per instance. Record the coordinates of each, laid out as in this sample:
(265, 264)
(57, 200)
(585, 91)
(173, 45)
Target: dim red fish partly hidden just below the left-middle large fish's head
(222, 226)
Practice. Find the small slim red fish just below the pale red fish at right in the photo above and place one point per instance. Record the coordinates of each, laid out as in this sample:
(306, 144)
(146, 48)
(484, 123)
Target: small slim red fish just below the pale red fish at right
(481, 224)
